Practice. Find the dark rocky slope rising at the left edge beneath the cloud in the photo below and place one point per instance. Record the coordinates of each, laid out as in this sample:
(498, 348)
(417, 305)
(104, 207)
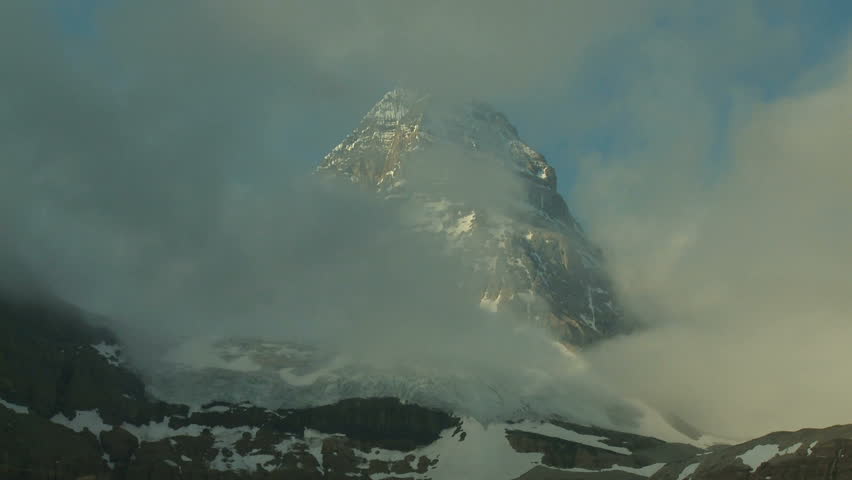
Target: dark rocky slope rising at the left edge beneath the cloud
(54, 361)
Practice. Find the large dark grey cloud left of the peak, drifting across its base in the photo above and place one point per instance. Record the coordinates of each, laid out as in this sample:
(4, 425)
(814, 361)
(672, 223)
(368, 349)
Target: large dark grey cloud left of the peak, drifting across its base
(138, 183)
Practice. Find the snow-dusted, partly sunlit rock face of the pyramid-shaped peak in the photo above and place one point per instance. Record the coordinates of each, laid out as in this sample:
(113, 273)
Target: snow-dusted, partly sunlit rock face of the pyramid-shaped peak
(464, 173)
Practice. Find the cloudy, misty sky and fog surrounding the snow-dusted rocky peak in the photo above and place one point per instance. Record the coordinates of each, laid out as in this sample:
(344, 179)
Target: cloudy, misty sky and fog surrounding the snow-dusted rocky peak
(156, 168)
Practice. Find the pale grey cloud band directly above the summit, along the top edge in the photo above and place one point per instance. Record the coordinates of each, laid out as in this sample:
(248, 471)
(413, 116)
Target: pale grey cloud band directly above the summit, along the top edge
(479, 47)
